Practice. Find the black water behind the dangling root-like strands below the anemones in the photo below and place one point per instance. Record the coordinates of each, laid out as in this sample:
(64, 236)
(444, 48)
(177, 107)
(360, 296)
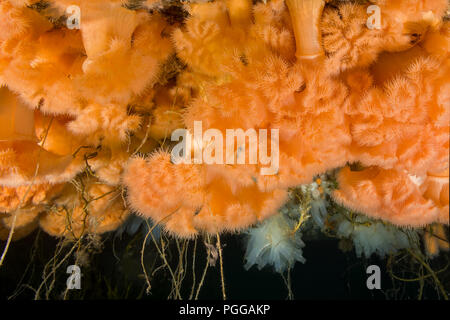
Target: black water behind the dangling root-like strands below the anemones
(117, 274)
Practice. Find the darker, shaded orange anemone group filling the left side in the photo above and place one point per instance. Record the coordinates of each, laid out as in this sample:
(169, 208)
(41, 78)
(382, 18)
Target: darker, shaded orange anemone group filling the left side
(76, 102)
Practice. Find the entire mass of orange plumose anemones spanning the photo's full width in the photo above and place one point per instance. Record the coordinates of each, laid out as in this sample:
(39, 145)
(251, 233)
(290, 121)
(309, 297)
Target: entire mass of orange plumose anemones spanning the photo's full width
(81, 102)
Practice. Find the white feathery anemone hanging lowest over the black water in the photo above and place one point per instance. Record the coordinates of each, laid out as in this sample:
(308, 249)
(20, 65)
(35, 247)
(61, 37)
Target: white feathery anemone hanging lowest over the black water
(275, 243)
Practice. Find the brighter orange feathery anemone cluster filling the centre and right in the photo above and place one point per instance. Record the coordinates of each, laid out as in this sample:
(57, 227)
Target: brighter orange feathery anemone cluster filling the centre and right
(339, 93)
